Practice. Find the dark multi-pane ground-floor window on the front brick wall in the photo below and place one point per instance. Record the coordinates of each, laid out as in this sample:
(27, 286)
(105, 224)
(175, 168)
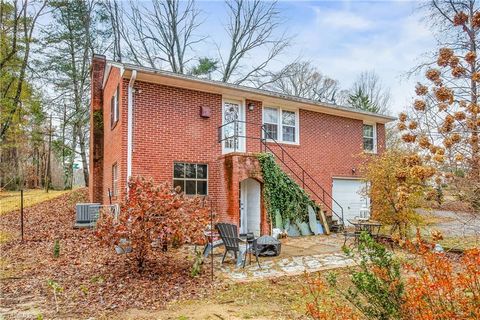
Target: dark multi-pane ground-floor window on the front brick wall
(192, 178)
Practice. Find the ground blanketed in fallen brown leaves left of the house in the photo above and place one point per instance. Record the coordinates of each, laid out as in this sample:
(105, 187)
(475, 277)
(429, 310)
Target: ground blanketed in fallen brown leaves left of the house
(94, 279)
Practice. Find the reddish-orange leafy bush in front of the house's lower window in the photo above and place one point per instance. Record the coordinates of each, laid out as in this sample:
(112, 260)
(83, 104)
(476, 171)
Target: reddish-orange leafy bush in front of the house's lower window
(154, 218)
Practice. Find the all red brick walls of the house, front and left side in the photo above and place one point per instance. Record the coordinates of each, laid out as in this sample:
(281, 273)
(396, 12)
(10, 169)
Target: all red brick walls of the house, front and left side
(168, 128)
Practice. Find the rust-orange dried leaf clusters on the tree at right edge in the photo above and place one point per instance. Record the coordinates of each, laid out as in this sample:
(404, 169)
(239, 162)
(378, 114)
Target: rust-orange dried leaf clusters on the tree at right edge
(445, 112)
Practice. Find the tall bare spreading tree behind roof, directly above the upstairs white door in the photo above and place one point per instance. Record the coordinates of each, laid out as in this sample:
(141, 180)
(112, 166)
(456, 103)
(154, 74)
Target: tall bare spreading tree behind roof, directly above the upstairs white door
(252, 25)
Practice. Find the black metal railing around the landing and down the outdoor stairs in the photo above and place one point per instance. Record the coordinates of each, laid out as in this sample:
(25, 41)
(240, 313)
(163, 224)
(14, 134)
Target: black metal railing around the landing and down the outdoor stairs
(265, 139)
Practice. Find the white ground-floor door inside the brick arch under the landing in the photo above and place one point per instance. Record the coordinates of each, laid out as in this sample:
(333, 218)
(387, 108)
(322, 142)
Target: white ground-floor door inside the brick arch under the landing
(250, 206)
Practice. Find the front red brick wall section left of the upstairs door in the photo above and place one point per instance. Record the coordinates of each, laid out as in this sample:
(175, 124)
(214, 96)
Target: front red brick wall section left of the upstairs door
(168, 128)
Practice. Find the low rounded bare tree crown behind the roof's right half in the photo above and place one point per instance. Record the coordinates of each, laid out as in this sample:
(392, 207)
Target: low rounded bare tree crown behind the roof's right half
(302, 79)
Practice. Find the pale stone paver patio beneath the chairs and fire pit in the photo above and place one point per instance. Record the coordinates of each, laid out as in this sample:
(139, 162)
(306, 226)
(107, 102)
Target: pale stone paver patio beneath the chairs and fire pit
(299, 255)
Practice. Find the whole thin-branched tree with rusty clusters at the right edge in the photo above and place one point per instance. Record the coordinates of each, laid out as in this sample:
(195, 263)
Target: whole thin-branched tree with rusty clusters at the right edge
(444, 120)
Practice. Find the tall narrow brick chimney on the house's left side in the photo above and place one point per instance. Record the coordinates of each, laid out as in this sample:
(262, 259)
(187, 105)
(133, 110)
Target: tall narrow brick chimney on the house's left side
(95, 188)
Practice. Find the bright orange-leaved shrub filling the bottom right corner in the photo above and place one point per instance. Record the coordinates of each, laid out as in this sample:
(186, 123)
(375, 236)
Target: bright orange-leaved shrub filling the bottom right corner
(438, 287)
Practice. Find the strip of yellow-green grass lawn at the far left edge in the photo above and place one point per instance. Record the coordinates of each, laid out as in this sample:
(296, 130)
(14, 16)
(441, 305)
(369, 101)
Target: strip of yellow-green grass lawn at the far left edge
(10, 200)
